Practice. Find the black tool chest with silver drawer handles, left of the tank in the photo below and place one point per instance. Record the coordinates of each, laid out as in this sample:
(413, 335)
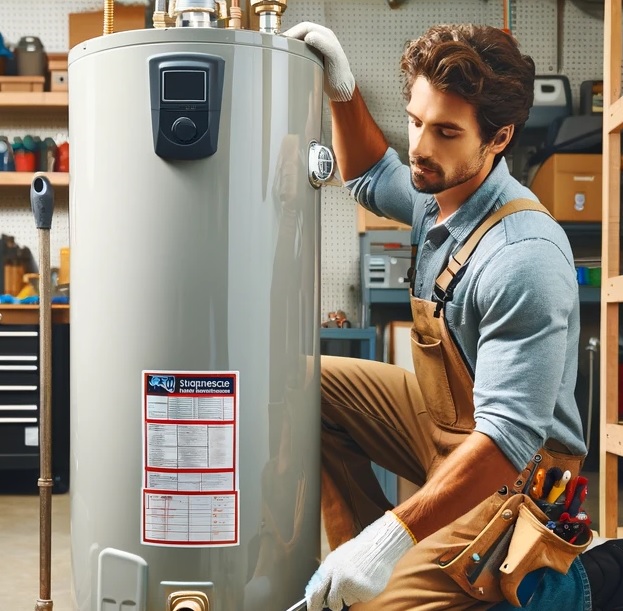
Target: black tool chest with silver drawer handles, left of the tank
(20, 402)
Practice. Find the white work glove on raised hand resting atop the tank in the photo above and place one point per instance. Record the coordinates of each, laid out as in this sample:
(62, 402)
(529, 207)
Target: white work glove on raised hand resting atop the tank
(339, 82)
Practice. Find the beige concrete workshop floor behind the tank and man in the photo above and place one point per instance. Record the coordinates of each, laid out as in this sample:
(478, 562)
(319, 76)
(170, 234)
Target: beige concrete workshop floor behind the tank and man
(19, 545)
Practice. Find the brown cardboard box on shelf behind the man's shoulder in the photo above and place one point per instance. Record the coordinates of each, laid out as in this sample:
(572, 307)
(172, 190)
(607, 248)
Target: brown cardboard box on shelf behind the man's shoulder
(569, 186)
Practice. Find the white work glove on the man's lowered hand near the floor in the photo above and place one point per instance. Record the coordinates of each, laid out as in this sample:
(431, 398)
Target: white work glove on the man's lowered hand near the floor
(359, 569)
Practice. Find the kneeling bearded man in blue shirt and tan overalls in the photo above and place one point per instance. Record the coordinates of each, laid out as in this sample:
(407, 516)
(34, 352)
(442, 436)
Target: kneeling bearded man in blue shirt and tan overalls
(490, 409)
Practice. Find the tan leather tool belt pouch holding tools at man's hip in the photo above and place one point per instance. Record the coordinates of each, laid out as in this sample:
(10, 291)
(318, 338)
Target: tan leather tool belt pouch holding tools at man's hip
(524, 534)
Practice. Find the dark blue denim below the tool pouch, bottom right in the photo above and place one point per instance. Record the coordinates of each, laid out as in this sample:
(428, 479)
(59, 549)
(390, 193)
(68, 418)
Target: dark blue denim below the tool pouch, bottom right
(557, 592)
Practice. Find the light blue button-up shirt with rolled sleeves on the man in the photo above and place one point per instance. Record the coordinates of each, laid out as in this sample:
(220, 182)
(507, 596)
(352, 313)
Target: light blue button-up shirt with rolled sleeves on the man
(515, 313)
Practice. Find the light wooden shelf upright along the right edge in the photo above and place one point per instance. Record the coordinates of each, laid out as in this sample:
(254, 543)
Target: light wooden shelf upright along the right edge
(611, 429)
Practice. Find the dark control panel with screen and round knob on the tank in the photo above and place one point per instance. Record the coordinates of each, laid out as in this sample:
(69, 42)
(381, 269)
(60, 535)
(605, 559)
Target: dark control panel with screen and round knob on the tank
(186, 91)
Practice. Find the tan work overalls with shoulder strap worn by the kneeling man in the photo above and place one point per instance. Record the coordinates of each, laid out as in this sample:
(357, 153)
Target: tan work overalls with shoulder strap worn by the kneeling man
(408, 424)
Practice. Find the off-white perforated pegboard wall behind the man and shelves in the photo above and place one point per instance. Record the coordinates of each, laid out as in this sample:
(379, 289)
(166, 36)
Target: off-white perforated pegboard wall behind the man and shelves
(373, 36)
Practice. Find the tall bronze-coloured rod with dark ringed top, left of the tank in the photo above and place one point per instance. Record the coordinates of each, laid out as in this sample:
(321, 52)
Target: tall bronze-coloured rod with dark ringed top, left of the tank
(42, 202)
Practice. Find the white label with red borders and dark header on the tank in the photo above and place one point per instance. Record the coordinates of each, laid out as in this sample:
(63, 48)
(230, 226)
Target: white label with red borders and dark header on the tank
(190, 458)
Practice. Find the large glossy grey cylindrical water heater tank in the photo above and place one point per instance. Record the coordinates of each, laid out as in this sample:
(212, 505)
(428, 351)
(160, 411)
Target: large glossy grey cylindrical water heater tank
(194, 259)
